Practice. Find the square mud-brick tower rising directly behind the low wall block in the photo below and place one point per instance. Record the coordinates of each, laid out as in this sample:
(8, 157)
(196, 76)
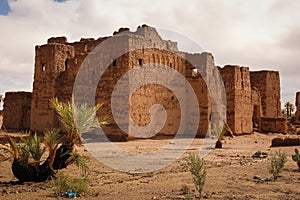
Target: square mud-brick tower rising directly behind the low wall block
(268, 84)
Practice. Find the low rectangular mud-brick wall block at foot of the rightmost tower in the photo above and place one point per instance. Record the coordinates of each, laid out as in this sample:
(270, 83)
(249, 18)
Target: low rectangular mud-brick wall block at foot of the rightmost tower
(274, 125)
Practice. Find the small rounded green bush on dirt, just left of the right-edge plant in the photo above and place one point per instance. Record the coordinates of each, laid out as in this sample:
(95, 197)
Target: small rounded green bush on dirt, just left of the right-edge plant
(277, 162)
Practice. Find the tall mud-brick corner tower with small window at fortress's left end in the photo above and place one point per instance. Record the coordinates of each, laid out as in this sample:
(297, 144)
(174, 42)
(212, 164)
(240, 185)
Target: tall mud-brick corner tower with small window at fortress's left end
(50, 60)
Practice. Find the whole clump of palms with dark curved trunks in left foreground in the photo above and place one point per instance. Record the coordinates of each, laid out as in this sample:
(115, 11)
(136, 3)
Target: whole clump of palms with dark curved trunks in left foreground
(76, 120)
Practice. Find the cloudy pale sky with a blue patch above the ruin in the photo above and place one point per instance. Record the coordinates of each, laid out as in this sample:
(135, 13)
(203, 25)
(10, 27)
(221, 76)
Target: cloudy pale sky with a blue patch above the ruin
(262, 35)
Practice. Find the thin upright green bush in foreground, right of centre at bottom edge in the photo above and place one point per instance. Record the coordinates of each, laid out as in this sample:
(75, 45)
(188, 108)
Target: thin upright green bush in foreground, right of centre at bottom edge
(198, 172)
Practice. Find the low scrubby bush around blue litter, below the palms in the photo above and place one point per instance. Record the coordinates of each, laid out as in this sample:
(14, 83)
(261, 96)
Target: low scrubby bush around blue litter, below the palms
(63, 182)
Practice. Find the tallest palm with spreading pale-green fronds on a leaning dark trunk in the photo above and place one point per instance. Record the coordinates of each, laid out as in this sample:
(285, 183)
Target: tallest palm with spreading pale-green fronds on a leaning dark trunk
(76, 120)
